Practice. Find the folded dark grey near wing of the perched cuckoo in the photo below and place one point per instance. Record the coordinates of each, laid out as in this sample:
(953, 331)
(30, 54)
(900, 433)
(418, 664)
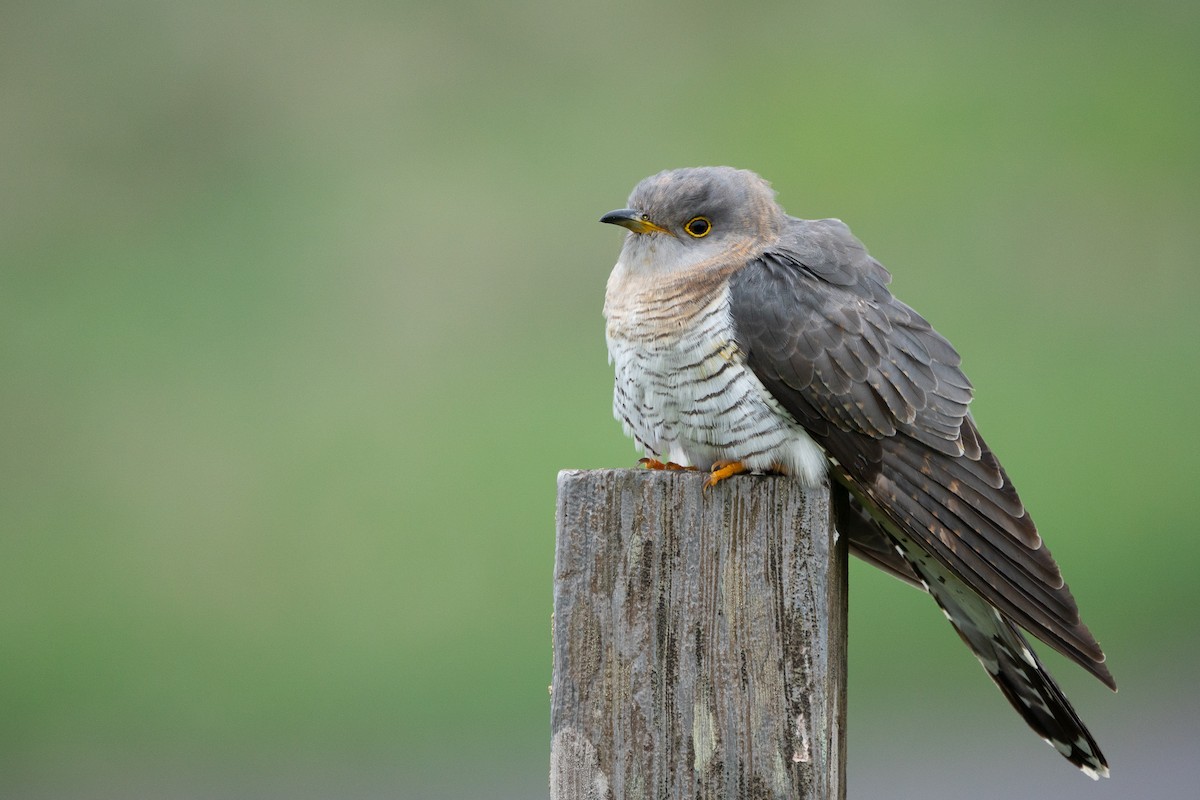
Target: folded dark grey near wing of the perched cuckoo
(884, 394)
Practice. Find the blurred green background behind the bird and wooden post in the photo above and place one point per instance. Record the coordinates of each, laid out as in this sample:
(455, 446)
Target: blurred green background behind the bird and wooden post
(301, 316)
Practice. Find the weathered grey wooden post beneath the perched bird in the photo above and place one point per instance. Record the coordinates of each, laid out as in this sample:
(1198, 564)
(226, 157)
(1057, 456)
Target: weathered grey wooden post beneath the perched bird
(700, 640)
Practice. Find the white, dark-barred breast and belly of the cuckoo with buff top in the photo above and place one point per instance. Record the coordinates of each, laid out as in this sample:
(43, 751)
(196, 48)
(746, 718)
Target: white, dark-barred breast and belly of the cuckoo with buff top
(683, 390)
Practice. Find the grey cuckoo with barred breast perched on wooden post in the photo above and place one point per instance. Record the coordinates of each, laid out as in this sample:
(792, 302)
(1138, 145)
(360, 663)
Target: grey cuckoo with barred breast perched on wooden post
(745, 340)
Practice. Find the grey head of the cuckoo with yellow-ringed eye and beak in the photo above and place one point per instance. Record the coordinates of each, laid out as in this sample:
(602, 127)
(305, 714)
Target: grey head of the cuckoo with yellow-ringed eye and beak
(682, 218)
